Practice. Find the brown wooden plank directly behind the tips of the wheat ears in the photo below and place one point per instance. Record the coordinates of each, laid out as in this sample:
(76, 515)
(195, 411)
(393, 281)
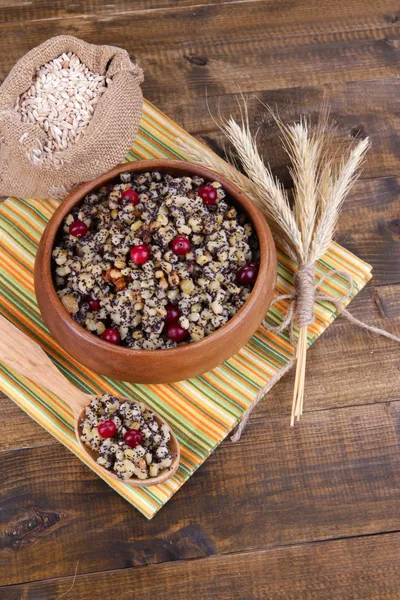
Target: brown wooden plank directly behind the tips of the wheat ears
(357, 109)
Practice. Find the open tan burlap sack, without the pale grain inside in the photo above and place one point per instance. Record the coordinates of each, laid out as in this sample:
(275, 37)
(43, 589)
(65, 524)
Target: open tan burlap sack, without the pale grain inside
(106, 140)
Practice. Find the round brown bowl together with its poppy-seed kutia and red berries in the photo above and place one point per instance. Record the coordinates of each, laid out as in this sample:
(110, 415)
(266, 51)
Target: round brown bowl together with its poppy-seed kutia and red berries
(155, 272)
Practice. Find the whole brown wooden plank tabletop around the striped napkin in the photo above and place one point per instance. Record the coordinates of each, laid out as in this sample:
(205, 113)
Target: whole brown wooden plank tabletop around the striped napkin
(311, 512)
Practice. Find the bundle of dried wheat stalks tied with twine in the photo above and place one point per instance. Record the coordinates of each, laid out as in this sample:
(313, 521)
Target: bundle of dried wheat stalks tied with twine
(305, 227)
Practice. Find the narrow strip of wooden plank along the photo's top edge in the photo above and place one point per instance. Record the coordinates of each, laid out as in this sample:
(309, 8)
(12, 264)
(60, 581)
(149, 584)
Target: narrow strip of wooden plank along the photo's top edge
(300, 16)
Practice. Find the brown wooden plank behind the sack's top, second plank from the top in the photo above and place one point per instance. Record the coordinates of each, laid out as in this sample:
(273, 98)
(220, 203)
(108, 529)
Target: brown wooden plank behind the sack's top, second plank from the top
(261, 45)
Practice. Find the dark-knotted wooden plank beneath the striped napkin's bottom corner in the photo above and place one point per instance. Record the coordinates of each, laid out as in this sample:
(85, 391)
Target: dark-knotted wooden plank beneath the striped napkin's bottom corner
(336, 475)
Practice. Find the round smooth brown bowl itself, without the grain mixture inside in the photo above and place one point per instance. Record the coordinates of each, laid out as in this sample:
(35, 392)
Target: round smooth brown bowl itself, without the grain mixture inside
(155, 366)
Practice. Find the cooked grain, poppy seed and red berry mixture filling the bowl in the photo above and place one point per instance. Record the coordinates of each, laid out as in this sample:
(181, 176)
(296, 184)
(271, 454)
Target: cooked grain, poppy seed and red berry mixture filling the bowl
(152, 260)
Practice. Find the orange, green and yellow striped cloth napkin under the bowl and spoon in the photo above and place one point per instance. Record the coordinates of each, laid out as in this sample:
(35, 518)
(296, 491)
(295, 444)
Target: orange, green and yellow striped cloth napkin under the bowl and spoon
(202, 411)
